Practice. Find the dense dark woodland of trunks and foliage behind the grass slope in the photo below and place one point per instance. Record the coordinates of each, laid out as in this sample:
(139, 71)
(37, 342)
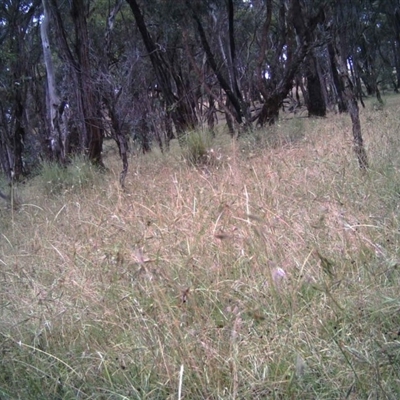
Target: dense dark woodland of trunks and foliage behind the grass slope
(75, 73)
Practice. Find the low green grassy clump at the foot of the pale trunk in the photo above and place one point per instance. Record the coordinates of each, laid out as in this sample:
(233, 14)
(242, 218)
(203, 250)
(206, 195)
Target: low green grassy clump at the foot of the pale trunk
(75, 176)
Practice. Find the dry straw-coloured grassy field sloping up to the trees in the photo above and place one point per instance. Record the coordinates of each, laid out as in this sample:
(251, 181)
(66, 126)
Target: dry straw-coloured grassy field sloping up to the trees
(271, 272)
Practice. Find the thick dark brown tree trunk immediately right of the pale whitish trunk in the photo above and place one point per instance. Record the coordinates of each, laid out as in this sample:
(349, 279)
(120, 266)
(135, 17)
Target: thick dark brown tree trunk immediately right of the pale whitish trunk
(73, 43)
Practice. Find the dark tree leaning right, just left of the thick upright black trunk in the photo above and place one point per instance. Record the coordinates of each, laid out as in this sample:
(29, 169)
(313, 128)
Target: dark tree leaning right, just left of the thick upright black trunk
(287, 39)
